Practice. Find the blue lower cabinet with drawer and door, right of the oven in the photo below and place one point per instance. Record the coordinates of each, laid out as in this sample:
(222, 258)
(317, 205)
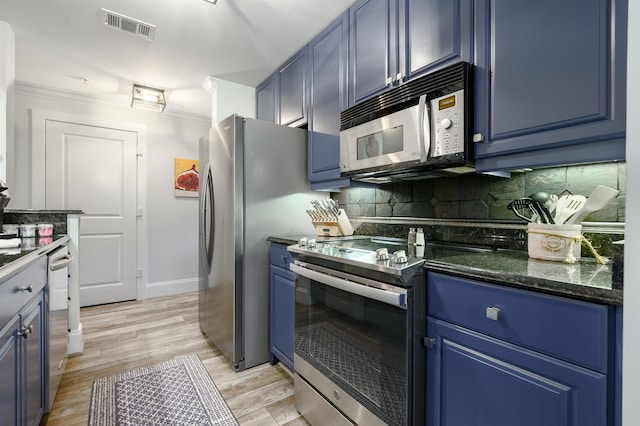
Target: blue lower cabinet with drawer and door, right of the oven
(501, 356)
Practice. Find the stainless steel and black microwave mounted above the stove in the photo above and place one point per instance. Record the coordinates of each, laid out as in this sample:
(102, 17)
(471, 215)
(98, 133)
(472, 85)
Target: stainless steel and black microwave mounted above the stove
(418, 130)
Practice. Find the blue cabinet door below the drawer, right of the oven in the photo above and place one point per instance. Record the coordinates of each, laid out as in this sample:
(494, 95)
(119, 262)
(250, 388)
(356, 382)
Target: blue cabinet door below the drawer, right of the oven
(473, 379)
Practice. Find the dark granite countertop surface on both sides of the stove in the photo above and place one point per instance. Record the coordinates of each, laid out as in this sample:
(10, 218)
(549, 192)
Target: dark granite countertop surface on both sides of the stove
(585, 279)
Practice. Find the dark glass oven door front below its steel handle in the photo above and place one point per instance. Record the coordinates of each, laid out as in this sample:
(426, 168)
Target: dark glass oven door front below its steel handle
(356, 341)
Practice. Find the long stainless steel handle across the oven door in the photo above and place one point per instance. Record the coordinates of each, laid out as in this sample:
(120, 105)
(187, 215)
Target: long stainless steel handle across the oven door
(392, 298)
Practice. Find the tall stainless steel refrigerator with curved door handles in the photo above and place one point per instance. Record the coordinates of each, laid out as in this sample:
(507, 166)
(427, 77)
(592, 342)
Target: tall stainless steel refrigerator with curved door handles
(253, 185)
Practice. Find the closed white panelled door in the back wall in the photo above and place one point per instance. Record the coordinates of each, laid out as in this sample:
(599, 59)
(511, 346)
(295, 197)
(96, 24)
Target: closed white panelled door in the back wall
(93, 169)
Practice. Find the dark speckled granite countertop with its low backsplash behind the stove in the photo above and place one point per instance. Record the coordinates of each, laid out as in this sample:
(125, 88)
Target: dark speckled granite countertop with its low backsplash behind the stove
(508, 263)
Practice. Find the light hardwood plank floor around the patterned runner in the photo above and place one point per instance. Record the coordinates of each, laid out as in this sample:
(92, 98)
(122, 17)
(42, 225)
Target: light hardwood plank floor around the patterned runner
(122, 336)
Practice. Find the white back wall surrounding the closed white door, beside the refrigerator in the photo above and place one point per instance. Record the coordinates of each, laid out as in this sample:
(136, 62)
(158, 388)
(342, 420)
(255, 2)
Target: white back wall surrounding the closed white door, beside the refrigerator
(168, 229)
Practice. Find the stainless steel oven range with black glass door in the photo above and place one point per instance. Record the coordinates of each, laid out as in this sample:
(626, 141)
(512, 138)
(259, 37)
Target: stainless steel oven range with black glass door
(359, 325)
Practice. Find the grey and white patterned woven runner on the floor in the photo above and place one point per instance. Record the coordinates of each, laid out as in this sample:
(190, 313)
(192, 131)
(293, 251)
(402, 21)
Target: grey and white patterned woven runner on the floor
(176, 392)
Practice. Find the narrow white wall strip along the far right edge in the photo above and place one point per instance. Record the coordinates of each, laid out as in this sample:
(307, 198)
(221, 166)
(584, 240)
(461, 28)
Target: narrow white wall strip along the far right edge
(631, 331)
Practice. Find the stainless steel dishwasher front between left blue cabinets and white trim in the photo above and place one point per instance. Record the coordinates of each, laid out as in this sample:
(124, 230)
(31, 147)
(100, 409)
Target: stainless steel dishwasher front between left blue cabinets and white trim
(58, 279)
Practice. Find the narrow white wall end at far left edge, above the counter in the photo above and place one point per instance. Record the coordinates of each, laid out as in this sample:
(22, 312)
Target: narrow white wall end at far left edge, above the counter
(7, 76)
